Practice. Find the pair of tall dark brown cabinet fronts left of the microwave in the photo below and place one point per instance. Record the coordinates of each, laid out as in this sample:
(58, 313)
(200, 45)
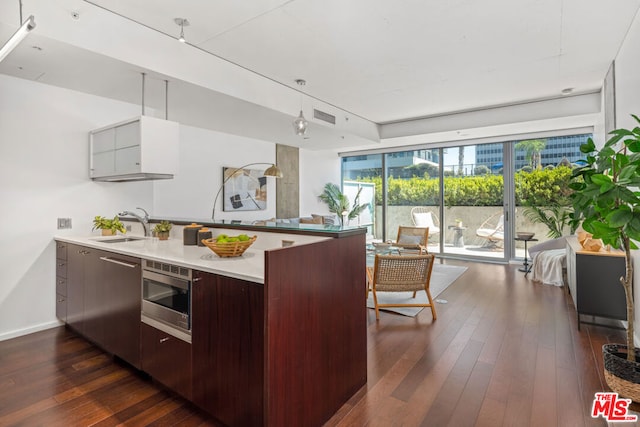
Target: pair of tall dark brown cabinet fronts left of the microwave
(103, 299)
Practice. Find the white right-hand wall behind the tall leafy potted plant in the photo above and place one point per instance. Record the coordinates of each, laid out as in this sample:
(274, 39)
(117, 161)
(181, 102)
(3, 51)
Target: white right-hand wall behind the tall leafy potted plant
(627, 83)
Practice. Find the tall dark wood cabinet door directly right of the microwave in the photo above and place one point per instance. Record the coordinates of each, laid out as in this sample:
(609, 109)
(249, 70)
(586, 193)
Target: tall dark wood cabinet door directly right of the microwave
(228, 348)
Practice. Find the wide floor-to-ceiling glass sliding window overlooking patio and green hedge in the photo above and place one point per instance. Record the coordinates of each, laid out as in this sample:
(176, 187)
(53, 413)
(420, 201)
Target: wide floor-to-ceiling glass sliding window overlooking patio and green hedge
(476, 197)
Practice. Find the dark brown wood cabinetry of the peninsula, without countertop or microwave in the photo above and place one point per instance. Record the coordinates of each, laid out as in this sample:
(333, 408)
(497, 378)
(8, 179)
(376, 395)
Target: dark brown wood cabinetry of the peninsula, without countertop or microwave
(286, 352)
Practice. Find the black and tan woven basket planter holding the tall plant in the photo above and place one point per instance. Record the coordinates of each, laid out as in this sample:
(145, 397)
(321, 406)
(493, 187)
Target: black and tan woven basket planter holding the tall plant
(622, 376)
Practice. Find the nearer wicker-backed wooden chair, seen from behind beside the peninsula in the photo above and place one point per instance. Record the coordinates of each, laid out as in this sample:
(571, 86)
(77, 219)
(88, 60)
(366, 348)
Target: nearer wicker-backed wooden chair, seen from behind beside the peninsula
(396, 273)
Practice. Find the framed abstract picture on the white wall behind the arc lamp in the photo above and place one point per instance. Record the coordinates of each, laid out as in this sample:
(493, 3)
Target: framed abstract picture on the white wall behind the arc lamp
(244, 189)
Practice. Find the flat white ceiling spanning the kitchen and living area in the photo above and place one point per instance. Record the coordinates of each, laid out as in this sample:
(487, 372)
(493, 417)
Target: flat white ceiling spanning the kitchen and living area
(383, 61)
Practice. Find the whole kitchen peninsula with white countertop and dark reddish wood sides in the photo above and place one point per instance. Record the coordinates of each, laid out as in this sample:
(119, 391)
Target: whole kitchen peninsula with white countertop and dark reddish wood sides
(278, 335)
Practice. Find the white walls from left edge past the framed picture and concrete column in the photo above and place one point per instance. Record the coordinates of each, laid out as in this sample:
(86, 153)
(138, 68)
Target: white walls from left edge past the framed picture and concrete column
(44, 175)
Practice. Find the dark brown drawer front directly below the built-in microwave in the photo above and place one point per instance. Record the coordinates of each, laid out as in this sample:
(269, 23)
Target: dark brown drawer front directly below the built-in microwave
(167, 359)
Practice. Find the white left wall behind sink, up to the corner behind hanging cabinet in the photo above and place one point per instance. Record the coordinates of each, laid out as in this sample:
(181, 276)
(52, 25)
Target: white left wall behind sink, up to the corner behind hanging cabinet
(43, 176)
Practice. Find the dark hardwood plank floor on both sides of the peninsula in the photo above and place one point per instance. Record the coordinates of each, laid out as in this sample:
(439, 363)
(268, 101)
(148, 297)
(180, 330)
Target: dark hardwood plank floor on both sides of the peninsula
(504, 352)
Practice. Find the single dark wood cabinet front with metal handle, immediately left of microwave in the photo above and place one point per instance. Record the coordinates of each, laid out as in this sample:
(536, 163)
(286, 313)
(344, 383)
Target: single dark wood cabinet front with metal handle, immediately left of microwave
(121, 284)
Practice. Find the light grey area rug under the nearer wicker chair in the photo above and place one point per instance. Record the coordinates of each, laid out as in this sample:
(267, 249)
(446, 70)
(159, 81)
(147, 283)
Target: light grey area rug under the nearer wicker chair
(441, 277)
